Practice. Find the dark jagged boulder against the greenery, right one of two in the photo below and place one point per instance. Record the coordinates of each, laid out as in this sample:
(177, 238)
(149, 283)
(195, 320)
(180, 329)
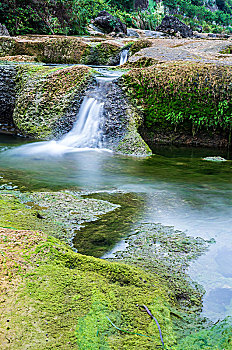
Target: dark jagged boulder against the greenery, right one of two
(172, 25)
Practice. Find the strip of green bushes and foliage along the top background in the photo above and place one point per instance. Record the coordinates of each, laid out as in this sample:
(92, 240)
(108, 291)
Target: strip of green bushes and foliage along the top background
(68, 17)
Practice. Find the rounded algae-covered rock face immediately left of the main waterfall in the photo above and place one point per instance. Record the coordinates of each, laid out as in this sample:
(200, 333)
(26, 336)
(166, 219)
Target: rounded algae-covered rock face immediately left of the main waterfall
(44, 97)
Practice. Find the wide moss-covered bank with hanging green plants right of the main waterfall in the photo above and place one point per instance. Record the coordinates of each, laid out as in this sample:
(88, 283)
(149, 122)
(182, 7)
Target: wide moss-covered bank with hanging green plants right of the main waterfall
(183, 98)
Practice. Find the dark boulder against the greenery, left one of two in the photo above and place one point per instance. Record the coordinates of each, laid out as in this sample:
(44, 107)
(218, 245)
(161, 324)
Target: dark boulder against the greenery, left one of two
(109, 23)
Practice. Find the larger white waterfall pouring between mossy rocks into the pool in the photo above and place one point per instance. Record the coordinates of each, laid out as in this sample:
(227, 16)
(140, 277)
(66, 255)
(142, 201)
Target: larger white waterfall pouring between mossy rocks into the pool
(87, 132)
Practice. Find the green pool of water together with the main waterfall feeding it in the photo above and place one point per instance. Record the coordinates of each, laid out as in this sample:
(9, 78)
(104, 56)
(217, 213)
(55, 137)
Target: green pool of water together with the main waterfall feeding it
(174, 187)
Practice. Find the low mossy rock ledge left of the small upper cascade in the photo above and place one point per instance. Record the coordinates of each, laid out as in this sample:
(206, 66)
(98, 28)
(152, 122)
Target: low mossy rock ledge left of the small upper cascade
(62, 50)
